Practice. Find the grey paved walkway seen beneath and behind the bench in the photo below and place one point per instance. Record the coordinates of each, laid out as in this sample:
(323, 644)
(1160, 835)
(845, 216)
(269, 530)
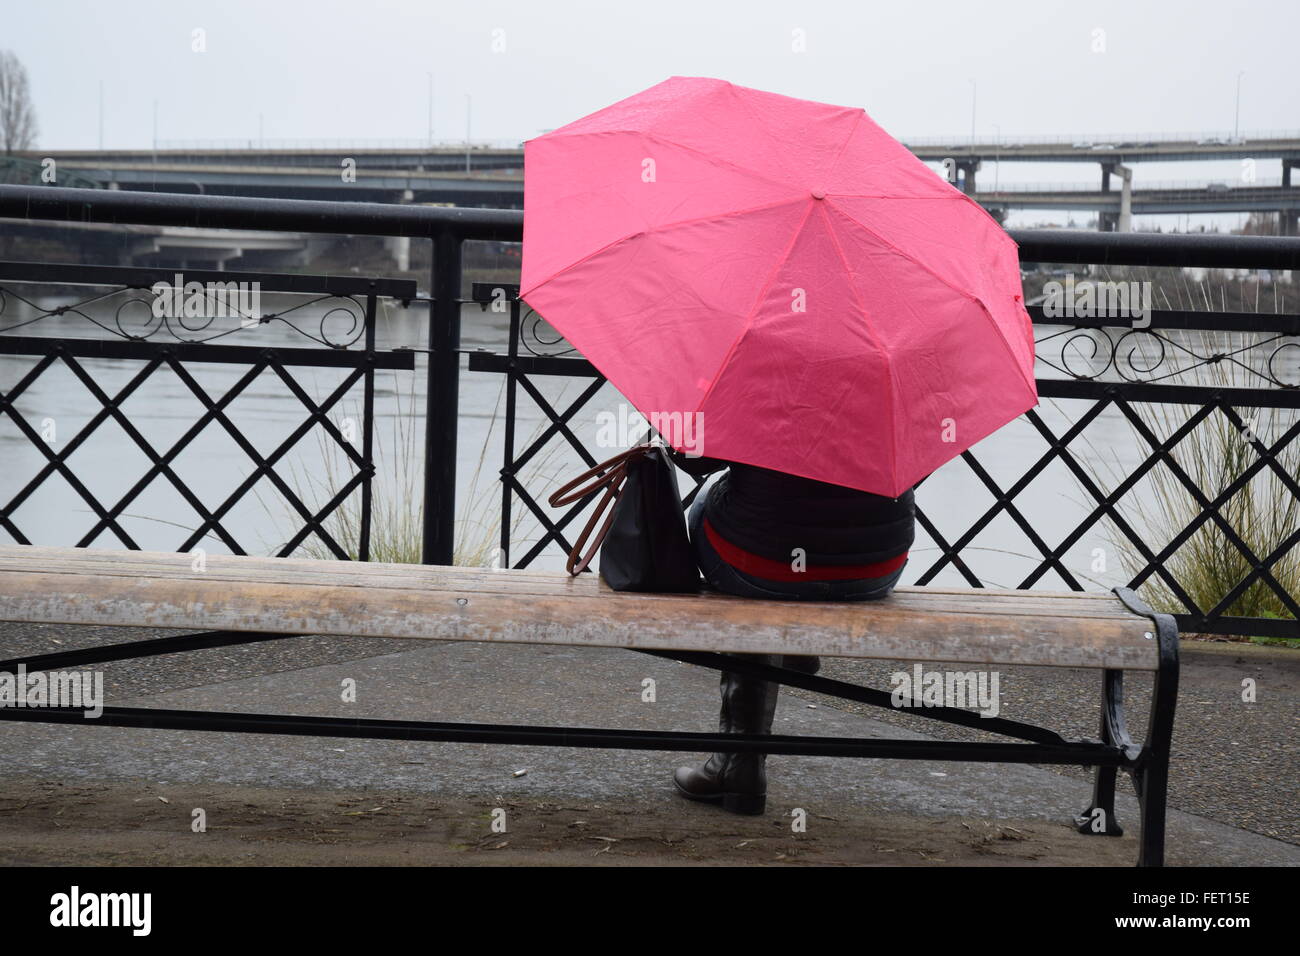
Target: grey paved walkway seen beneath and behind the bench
(525, 685)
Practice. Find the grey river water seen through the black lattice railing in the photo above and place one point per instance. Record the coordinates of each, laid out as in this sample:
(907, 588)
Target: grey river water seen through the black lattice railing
(110, 464)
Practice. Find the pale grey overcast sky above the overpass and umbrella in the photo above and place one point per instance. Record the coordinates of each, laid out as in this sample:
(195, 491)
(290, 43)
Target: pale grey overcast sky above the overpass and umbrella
(333, 70)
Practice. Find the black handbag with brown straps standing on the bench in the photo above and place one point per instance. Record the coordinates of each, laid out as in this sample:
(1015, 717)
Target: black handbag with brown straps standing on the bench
(643, 542)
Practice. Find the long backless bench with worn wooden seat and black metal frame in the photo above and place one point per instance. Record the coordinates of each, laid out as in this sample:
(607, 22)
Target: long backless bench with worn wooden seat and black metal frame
(240, 600)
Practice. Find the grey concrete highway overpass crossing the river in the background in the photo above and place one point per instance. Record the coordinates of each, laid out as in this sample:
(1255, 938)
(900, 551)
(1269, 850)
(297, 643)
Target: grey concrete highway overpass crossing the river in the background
(492, 175)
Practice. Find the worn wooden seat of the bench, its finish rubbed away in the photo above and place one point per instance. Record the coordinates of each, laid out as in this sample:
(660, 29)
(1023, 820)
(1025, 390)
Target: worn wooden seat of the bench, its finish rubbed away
(302, 596)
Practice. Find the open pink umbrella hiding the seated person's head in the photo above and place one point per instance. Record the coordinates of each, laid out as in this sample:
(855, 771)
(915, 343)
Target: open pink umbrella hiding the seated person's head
(785, 276)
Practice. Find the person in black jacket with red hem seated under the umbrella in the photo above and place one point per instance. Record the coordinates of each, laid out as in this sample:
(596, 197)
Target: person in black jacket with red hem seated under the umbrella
(765, 534)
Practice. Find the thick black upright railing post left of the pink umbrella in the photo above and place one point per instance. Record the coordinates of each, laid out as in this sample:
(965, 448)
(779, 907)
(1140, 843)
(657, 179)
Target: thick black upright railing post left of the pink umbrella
(443, 403)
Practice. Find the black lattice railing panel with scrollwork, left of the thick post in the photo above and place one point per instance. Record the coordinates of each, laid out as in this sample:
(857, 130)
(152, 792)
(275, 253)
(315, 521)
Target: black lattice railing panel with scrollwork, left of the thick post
(150, 341)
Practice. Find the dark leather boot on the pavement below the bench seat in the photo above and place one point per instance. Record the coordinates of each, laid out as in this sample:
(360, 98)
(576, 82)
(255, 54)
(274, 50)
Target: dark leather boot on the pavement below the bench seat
(738, 781)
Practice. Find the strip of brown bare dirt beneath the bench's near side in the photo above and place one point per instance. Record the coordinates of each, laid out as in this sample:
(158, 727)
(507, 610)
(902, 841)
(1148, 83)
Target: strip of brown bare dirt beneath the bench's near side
(50, 824)
